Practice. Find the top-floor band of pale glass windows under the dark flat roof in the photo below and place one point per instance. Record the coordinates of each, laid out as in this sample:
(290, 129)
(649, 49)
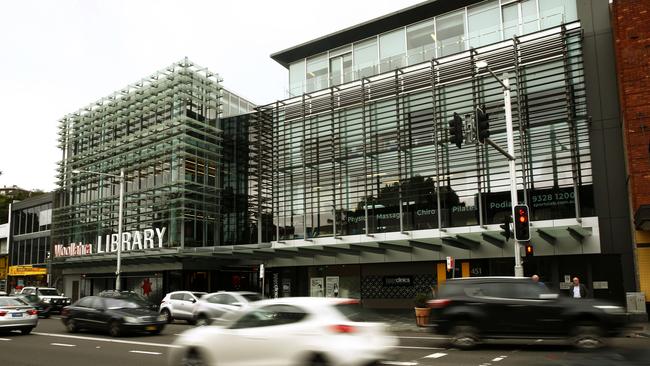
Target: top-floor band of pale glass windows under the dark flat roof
(484, 23)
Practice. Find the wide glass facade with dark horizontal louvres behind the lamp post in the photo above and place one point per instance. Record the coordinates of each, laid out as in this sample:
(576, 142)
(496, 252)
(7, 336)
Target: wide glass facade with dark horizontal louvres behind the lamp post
(375, 157)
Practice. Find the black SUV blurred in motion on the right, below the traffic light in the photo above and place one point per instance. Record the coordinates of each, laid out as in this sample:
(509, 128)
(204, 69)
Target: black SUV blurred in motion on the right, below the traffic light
(470, 309)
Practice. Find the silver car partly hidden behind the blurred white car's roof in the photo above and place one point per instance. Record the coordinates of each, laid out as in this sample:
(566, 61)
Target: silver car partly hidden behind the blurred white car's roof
(215, 307)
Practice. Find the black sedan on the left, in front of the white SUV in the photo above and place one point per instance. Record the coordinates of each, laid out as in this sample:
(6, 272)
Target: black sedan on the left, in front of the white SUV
(115, 315)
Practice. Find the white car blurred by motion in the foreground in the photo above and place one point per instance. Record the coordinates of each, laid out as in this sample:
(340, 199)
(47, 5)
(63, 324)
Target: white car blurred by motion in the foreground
(288, 331)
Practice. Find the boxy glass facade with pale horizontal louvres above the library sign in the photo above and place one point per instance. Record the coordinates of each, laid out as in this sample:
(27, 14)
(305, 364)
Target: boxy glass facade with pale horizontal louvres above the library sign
(165, 133)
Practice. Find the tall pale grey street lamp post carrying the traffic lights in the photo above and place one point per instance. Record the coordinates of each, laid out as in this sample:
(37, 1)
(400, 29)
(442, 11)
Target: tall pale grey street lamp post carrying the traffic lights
(505, 84)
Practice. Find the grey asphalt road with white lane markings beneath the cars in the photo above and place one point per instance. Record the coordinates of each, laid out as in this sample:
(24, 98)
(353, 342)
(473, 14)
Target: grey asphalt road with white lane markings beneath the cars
(51, 345)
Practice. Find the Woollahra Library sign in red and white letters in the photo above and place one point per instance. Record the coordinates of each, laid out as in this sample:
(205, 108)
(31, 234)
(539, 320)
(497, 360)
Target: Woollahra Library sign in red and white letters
(135, 240)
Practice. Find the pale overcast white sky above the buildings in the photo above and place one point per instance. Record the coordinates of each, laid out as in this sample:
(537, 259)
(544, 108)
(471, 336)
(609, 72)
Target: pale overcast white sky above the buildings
(57, 57)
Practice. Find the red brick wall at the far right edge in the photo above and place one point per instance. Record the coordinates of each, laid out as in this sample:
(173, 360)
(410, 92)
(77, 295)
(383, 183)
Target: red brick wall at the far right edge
(631, 26)
